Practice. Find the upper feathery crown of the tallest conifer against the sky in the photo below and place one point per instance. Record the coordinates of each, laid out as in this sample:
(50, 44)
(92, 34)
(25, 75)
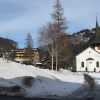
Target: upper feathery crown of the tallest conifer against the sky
(59, 21)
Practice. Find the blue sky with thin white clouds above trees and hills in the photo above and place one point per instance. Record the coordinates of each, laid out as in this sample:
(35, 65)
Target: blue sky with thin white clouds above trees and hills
(20, 17)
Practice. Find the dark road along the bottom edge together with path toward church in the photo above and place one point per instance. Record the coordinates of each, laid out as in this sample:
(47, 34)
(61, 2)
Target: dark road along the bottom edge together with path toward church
(88, 91)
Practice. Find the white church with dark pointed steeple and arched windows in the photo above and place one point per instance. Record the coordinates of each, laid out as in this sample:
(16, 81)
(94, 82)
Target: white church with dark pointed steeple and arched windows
(89, 59)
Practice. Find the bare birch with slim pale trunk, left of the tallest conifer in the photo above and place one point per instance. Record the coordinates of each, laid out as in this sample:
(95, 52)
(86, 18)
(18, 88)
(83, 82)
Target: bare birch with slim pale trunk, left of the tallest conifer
(46, 37)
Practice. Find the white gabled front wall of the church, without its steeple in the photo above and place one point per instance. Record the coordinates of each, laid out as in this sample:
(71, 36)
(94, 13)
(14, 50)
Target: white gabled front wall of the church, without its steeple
(90, 64)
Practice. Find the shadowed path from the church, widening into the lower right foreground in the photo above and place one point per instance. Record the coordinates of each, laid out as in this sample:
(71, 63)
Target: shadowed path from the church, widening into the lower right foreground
(88, 91)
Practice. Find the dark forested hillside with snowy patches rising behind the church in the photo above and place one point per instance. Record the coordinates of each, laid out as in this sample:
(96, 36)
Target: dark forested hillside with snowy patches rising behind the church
(80, 41)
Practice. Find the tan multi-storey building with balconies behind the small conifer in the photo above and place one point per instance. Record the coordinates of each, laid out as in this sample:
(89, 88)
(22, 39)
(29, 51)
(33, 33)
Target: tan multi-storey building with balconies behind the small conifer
(19, 55)
